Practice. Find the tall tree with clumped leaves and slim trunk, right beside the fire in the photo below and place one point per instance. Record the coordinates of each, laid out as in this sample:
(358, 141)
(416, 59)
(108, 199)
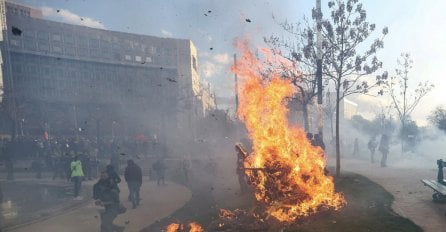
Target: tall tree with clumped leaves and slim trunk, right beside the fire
(343, 32)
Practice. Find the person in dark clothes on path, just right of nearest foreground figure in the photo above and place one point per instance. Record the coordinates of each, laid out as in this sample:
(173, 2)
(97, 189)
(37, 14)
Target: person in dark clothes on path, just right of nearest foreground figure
(133, 177)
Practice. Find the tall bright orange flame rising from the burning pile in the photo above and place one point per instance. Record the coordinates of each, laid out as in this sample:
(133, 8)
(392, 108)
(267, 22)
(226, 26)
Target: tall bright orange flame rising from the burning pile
(291, 181)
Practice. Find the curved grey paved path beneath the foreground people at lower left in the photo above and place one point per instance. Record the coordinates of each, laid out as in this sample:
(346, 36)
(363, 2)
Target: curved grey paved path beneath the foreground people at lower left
(157, 202)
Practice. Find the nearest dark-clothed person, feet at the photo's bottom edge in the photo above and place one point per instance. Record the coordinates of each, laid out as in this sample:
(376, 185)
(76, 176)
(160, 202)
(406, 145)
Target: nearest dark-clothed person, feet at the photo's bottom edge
(107, 195)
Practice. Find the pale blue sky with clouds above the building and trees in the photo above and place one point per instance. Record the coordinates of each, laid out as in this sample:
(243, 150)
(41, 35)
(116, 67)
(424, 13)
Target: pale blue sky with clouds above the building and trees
(415, 26)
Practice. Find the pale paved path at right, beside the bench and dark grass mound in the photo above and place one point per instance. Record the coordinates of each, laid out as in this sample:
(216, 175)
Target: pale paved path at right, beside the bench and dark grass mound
(413, 200)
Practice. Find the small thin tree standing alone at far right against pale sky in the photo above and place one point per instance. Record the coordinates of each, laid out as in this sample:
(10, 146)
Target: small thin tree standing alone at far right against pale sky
(405, 101)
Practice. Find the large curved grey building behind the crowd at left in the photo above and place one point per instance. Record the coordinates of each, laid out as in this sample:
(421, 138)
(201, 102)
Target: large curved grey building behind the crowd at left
(72, 79)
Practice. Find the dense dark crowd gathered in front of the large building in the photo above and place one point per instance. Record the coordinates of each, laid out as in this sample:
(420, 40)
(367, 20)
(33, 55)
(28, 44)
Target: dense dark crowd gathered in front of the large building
(55, 155)
